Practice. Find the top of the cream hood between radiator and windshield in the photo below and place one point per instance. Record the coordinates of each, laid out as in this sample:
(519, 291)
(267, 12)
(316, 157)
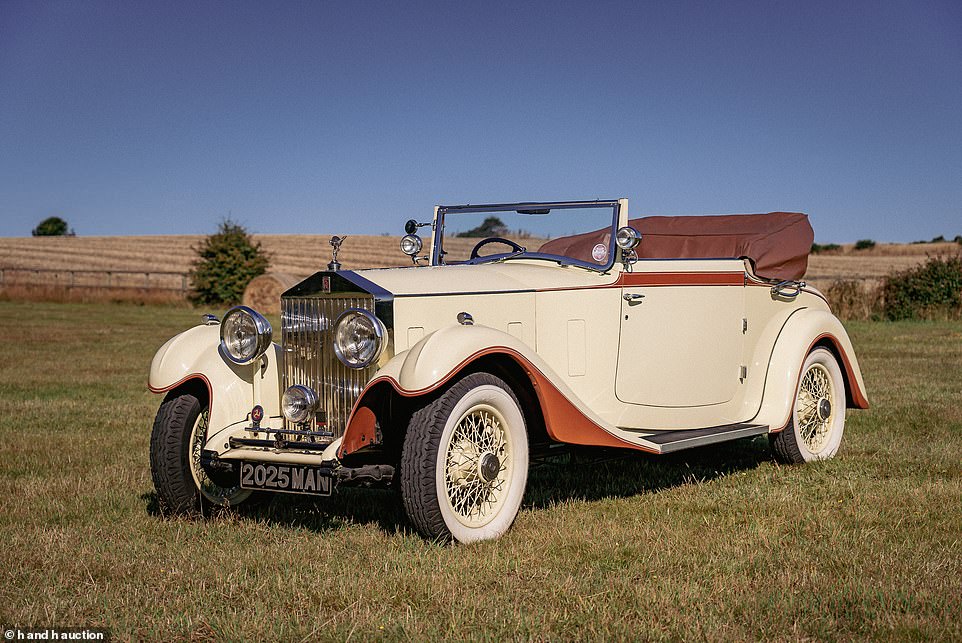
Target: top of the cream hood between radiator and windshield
(514, 275)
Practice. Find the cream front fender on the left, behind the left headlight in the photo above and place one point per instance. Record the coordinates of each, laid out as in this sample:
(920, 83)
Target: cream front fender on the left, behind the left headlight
(233, 389)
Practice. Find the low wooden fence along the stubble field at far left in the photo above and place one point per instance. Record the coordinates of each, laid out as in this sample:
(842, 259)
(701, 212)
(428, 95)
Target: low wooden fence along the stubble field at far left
(98, 279)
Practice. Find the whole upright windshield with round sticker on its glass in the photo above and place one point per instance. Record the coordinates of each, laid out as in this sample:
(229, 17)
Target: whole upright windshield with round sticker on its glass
(578, 233)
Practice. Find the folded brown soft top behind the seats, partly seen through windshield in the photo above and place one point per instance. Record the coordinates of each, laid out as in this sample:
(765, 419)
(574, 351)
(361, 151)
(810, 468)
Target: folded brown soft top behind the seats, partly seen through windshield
(777, 243)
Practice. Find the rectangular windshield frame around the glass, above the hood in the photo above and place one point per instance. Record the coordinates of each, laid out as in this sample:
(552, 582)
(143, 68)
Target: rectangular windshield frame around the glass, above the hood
(437, 251)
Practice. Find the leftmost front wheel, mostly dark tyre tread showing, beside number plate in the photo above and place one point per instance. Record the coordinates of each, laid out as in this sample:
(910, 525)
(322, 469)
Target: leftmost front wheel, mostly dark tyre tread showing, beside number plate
(176, 441)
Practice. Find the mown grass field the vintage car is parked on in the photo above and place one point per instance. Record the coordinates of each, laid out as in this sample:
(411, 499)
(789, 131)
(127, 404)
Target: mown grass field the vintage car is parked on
(717, 543)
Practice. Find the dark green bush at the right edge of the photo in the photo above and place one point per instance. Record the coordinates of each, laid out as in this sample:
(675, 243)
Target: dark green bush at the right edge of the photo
(930, 291)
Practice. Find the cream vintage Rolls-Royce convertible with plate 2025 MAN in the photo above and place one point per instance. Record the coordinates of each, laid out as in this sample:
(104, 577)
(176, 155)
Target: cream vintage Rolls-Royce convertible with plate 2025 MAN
(523, 327)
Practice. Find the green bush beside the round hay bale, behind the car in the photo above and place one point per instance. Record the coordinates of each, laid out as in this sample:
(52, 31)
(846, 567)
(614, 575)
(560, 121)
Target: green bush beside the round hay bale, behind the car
(225, 264)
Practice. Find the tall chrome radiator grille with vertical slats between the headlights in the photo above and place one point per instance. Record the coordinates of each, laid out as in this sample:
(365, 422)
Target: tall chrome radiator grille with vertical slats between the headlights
(307, 329)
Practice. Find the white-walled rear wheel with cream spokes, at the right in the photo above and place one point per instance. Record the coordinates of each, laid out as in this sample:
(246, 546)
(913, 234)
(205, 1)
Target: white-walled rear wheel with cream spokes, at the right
(818, 413)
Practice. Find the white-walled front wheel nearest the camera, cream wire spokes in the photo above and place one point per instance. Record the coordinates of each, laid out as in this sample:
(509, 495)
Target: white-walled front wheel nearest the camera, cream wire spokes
(464, 463)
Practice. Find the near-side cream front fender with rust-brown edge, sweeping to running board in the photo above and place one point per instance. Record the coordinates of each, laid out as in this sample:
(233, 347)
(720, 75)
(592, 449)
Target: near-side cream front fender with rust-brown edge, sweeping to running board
(442, 355)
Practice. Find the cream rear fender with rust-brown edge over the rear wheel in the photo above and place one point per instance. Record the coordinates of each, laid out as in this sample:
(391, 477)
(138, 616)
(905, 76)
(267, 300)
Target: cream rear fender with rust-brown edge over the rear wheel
(805, 330)
